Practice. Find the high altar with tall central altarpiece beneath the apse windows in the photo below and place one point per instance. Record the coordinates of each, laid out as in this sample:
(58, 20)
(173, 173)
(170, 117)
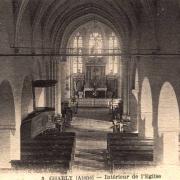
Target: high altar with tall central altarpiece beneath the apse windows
(94, 83)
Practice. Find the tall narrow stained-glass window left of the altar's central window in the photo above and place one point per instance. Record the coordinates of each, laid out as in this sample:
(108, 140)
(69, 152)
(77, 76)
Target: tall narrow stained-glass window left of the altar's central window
(77, 48)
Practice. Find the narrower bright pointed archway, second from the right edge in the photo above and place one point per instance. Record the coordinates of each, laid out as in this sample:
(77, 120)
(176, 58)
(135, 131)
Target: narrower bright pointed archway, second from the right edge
(146, 108)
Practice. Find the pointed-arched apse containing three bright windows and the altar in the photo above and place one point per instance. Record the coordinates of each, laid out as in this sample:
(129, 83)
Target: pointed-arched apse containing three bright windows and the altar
(93, 71)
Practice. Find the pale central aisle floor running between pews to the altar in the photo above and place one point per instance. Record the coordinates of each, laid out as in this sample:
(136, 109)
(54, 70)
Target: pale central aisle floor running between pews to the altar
(91, 127)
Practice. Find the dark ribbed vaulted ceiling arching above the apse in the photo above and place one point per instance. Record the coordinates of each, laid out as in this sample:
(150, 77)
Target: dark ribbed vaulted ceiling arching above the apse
(58, 16)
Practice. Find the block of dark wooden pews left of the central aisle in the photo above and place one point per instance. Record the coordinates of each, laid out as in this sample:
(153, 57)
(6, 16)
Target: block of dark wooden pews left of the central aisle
(47, 151)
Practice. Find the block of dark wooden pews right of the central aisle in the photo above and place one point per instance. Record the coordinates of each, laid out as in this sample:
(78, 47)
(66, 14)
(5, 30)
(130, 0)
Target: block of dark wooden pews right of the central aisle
(128, 149)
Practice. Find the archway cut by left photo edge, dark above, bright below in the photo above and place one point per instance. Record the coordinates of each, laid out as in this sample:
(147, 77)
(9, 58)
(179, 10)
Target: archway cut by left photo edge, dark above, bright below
(7, 123)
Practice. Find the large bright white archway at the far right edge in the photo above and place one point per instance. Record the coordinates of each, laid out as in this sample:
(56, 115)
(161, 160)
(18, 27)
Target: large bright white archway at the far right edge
(168, 125)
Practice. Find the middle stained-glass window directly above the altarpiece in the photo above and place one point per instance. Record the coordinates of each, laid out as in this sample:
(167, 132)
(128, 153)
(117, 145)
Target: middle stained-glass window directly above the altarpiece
(95, 43)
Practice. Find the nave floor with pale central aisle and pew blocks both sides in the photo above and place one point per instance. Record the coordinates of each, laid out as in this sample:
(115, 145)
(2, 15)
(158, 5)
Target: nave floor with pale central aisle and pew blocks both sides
(88, 144)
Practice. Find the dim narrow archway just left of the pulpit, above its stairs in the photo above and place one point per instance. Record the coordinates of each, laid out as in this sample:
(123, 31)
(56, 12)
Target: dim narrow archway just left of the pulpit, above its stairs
(26, 97)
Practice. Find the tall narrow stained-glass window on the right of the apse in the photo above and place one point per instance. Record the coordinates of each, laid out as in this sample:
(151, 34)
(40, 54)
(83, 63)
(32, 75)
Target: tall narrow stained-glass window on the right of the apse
(113, 60)
